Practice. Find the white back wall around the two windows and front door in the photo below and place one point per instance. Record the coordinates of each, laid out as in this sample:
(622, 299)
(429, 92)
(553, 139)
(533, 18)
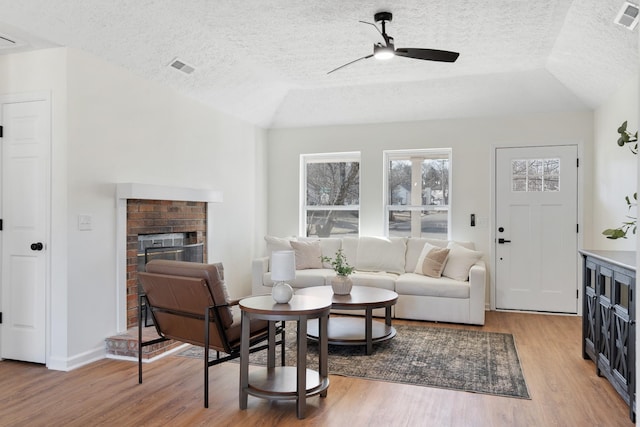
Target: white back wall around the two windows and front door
(472, 140)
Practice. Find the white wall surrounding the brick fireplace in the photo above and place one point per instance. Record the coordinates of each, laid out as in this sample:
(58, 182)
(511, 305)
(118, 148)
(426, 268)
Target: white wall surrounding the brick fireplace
(122, 128)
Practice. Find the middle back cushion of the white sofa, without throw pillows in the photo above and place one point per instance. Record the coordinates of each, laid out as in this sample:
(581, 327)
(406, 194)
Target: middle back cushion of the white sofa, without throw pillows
(381, 254)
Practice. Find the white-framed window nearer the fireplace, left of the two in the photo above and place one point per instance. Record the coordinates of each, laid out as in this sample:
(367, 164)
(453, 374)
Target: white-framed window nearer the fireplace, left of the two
(330, 194)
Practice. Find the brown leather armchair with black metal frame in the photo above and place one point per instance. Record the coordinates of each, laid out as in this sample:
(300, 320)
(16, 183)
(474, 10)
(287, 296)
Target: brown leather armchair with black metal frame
(189, 303)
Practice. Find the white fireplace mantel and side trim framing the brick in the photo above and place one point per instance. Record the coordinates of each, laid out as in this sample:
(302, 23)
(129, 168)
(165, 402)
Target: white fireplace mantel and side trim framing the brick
(125, 191)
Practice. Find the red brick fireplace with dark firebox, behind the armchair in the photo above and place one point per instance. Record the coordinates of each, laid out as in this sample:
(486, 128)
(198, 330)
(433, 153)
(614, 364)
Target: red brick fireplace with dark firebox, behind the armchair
(162, 220)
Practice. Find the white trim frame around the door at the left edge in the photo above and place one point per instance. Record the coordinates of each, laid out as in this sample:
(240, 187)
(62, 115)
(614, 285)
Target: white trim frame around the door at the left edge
(33, 96)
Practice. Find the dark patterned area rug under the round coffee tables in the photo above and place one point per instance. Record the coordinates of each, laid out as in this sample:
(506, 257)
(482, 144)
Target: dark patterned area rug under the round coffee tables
(465, 360)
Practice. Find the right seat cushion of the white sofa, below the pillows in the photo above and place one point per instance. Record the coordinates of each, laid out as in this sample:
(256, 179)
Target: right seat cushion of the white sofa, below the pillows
(416, 284)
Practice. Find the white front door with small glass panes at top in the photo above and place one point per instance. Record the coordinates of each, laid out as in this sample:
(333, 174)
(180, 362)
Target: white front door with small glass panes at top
(536, 229)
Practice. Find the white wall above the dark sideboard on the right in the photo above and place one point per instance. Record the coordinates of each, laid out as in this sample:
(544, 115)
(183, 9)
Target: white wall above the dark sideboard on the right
(615, 168)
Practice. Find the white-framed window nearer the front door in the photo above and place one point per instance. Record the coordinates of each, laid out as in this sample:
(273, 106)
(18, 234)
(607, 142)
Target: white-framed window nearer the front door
(417, 193)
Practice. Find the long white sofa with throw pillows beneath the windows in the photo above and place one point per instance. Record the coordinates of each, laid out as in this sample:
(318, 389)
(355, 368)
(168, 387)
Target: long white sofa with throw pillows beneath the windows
(390, 263)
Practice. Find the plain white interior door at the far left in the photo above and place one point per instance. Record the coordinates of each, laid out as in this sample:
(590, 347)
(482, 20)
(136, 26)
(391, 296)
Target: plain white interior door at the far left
(26, 145)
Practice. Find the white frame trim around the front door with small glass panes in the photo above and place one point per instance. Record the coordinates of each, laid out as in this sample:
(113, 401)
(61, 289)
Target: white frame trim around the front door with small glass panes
(579, 144)
